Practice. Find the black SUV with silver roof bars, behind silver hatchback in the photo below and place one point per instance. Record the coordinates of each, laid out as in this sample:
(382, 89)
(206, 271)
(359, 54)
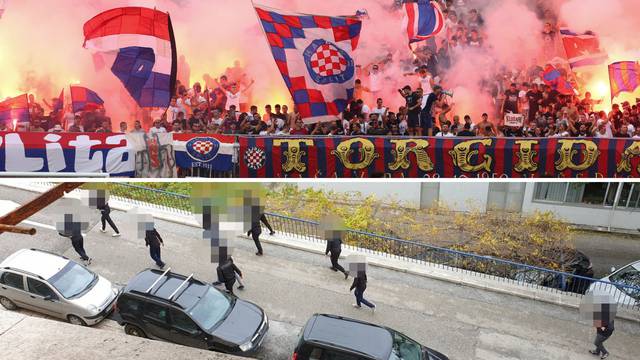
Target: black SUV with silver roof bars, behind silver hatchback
(186, 311)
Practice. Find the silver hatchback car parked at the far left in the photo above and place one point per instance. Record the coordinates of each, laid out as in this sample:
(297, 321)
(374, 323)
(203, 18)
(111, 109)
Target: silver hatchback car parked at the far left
(56, 286)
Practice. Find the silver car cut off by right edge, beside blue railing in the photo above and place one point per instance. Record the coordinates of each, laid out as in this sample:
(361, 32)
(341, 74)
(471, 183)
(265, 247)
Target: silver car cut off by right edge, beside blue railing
(627, 285)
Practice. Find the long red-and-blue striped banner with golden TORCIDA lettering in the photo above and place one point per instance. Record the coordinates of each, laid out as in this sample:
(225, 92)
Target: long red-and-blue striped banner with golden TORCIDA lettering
(438, 157)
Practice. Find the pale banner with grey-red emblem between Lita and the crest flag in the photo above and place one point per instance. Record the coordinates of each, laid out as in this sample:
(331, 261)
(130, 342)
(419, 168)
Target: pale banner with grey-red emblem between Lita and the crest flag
(153, 154)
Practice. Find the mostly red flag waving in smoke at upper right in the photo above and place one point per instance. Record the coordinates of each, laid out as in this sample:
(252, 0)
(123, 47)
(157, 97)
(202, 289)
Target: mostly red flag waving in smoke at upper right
(582, 49)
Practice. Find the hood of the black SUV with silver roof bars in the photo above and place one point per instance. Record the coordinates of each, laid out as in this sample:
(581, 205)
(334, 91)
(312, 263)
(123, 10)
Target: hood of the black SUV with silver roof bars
(241, 324)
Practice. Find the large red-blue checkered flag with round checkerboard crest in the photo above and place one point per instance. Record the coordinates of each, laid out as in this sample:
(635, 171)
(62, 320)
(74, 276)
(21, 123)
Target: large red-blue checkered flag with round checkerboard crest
(315, 57)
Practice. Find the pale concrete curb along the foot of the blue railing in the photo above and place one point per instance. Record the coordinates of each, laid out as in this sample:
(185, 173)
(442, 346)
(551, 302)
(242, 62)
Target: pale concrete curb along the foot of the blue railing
(391, 262)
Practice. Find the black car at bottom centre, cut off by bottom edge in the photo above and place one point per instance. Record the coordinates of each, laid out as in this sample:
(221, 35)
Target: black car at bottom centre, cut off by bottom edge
(329, 337)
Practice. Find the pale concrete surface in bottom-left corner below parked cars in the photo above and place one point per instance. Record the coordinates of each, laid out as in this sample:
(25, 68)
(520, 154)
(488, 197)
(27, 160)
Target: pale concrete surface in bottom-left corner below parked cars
(23, 337)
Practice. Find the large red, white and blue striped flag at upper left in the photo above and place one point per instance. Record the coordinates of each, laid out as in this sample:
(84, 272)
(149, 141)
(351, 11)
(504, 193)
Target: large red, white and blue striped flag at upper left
(144, 47)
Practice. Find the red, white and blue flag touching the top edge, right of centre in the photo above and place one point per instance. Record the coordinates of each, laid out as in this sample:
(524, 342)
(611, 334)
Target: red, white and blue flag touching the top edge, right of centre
(423, 20)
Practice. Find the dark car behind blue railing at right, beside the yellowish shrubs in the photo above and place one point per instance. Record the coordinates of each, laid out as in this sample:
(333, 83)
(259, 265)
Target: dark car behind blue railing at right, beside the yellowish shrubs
(575, 263)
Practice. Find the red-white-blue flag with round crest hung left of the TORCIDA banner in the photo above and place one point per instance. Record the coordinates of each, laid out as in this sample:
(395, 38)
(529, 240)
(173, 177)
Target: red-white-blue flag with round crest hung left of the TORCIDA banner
(212, 152)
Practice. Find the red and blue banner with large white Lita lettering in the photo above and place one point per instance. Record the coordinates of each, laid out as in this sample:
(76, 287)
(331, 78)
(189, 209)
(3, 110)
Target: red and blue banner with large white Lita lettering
(66, 152)
